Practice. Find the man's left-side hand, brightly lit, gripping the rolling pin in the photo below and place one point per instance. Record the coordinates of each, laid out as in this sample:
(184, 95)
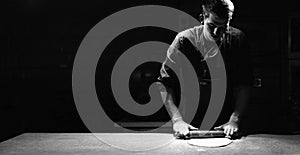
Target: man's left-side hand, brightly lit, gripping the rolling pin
(182, 128)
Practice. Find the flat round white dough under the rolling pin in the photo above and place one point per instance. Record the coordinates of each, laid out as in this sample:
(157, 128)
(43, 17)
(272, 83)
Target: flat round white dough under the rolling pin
(210, 142)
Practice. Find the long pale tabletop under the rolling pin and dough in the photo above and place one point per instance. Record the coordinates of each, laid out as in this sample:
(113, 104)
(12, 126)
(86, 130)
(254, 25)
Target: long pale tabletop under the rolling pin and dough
(87, 143)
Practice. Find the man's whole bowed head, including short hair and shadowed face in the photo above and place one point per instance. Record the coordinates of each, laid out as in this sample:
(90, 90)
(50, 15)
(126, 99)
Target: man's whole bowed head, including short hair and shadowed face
(217, 15)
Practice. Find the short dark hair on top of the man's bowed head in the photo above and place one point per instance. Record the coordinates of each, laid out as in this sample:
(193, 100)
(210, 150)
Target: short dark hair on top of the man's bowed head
(222, 8)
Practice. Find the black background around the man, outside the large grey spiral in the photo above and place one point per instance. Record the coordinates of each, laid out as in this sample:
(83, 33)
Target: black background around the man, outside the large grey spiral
(41, 37)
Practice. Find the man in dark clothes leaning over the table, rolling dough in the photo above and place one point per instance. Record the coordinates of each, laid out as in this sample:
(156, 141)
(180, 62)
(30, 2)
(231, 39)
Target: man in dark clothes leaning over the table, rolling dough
(214, 38)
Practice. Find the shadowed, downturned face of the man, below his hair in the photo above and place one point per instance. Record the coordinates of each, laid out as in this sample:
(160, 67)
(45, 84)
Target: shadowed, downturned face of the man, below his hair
(215, 26)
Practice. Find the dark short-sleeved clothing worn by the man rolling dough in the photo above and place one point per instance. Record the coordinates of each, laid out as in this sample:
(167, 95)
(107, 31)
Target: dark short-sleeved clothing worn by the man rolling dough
(200, 51)
